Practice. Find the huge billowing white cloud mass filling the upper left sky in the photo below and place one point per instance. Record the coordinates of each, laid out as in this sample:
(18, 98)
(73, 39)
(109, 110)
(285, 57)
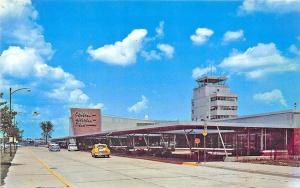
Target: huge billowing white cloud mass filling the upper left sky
(26, 56)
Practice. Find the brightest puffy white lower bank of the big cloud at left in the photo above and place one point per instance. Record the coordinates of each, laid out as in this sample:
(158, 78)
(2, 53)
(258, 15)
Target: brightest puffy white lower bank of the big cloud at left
(26, 63)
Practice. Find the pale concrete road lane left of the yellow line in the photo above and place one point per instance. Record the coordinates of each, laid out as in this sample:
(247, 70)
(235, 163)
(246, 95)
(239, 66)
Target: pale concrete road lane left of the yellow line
(25, 170)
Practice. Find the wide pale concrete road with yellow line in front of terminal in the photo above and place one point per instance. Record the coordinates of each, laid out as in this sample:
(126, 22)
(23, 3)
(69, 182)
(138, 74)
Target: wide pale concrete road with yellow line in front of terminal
(36, 167)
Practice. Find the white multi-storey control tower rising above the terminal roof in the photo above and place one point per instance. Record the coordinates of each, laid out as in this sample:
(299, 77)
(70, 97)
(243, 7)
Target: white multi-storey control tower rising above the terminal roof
(213, 100)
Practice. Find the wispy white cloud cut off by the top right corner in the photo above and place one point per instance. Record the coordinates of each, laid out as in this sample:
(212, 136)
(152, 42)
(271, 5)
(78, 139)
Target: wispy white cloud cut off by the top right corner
(280, 6)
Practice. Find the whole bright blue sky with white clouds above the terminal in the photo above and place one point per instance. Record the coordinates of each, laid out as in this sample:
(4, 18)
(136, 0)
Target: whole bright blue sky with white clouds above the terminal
(140, 58)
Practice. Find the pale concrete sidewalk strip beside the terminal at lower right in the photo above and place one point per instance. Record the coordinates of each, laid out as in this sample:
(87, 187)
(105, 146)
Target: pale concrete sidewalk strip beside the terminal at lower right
(283, 171)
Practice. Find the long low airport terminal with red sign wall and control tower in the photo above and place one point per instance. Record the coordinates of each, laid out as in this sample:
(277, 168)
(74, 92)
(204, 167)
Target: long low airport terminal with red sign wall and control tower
(215, 125)
